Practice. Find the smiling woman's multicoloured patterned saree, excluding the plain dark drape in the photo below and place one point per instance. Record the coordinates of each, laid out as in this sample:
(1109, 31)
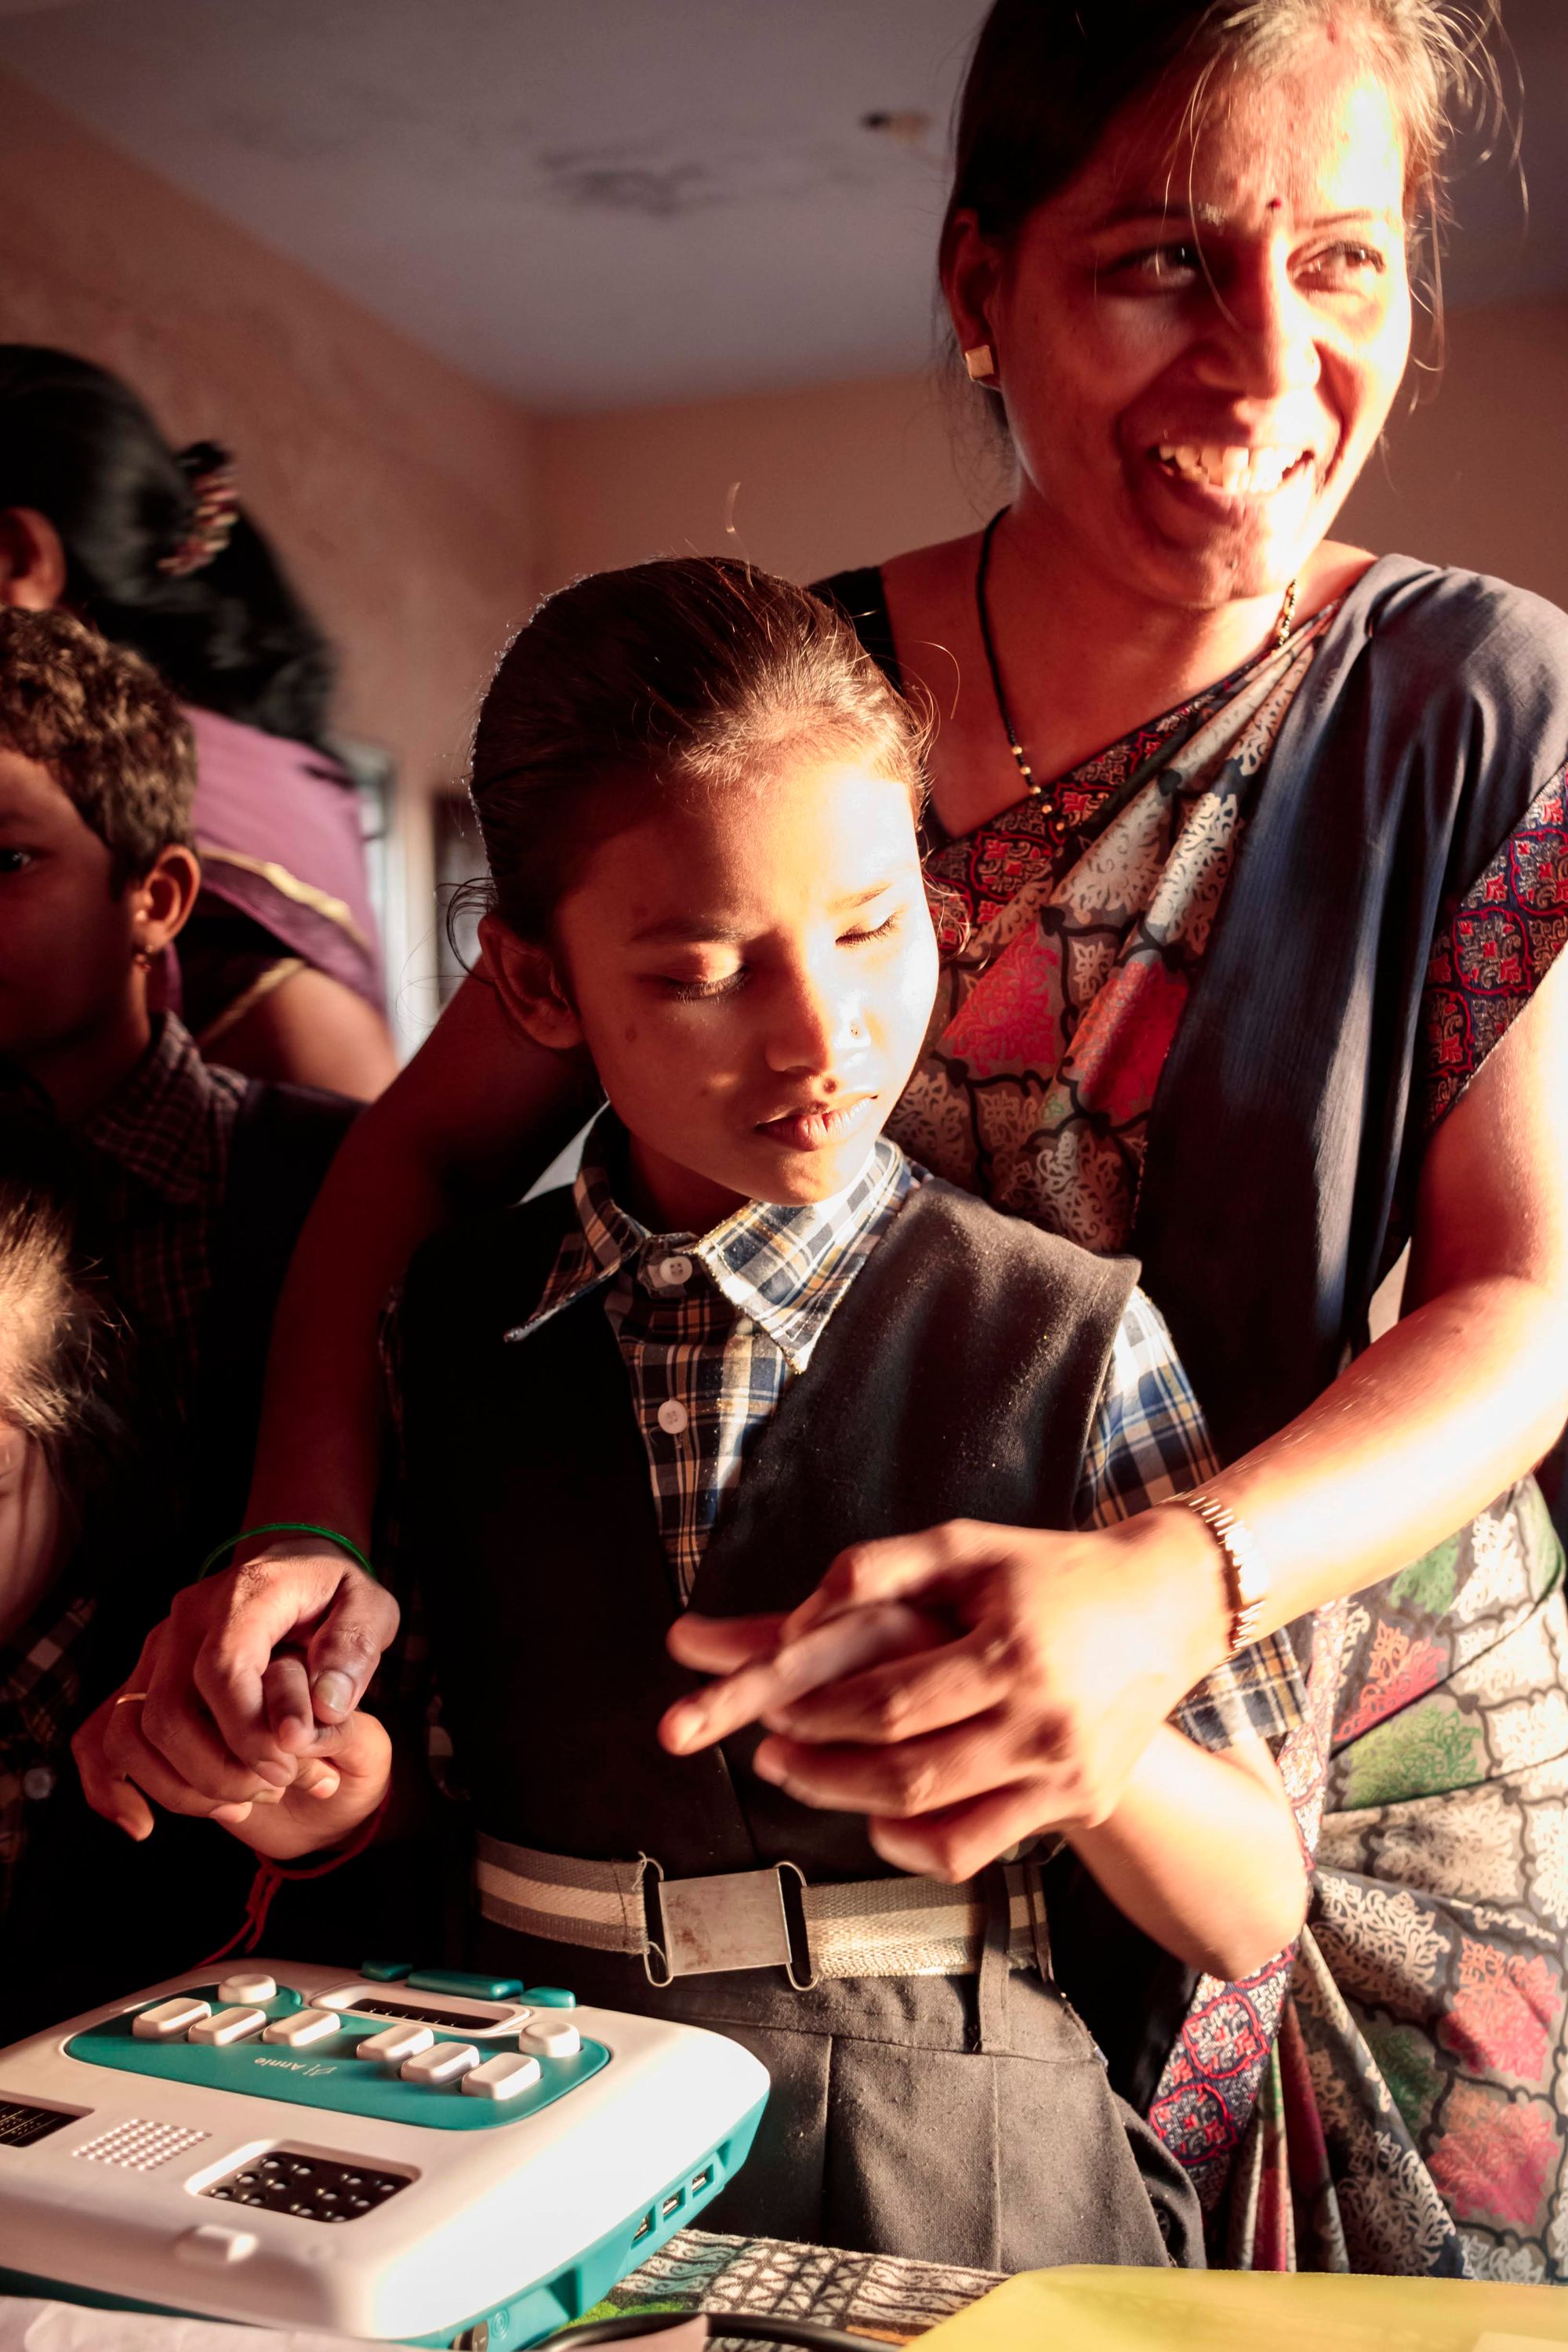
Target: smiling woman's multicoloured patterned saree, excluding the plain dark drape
(1391, 2097)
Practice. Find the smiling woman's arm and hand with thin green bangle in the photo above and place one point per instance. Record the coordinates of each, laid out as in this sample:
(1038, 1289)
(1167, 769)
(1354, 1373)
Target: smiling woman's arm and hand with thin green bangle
(471, 1123)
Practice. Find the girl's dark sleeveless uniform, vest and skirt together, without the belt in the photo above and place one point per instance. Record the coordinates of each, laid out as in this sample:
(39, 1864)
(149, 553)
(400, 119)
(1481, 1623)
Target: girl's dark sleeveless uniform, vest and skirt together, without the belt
(965, 2120)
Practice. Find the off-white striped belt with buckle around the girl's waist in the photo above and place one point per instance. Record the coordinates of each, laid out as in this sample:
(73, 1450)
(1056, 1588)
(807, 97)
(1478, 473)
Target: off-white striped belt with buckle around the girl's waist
(739, 1920)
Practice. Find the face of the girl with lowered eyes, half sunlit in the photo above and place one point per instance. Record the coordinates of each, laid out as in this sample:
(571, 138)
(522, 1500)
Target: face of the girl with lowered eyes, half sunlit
(753, 975)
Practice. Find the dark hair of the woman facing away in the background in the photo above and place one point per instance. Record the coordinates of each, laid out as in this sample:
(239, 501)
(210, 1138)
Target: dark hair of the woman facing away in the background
(232, 636)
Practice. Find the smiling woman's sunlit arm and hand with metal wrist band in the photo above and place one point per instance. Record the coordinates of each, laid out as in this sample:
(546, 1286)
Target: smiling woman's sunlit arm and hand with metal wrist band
(1073, 1648)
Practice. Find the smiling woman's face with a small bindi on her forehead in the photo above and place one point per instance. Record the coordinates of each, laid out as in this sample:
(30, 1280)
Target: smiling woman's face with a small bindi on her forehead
(1200, 340)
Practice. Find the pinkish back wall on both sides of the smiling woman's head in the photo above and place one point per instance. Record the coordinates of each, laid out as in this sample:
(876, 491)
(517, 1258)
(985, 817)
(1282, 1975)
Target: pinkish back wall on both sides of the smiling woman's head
(852, 472)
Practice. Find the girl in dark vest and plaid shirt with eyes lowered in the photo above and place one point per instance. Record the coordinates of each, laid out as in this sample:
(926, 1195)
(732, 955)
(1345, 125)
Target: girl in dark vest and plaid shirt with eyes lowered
(751, 1335)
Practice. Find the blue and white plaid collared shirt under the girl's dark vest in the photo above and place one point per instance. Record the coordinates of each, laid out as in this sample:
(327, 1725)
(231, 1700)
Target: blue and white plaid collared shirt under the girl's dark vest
(713, 1328)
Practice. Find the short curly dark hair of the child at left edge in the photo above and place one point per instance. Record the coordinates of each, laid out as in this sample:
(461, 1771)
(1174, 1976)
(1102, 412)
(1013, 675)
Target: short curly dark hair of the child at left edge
(107, 728)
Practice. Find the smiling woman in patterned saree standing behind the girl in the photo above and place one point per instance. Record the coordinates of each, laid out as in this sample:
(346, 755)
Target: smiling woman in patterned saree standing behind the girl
(1254, 855)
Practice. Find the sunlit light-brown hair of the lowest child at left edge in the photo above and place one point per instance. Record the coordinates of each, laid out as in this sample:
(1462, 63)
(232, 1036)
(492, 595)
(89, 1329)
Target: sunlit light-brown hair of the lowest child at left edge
(62, 1354)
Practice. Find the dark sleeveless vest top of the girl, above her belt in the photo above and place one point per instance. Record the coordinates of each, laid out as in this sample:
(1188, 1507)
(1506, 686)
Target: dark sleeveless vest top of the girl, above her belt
(958, 1379)
